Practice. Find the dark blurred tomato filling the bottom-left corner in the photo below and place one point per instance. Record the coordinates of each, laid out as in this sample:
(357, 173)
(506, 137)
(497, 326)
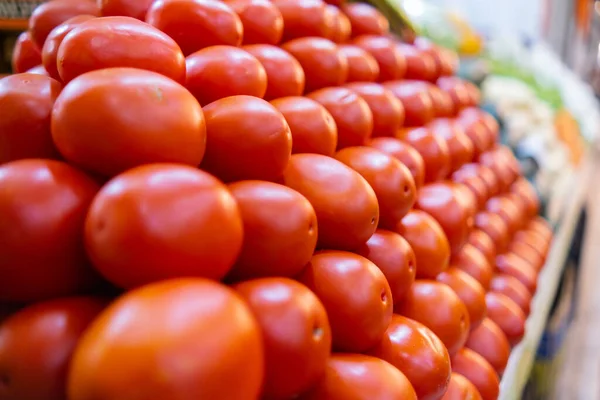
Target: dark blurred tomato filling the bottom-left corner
(36, 345)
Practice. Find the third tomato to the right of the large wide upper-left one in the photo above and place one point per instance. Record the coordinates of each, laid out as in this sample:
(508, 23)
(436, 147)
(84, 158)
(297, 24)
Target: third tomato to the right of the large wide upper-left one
(351, 113)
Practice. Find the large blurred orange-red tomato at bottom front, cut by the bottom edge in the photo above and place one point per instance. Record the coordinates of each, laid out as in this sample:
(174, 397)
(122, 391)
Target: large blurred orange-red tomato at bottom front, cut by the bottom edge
(182, 336)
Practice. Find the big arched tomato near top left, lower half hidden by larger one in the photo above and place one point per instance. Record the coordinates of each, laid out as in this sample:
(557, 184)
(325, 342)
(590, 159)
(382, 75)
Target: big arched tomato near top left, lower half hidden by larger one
(119, 42)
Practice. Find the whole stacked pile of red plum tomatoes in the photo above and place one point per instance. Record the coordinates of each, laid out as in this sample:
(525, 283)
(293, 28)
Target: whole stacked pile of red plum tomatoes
(253, 199)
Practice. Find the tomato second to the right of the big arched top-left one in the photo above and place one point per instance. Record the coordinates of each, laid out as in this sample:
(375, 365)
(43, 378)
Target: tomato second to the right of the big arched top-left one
(285, 76)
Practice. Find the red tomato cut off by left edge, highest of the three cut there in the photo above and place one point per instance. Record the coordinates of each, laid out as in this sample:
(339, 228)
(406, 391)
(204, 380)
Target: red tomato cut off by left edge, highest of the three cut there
(27, 100)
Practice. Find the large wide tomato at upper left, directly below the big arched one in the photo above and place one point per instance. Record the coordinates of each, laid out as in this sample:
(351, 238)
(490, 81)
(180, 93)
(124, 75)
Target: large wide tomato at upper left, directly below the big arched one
(169, 123)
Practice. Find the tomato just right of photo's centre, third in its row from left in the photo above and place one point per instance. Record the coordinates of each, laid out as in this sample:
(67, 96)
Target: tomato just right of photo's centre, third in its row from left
(324, 181)
